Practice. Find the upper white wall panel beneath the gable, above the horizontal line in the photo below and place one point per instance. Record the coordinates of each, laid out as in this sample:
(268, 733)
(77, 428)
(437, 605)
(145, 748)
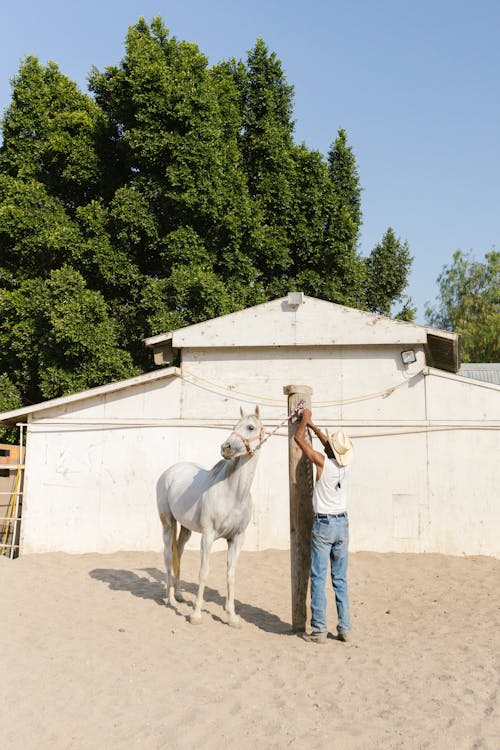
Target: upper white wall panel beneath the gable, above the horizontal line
(336, 374)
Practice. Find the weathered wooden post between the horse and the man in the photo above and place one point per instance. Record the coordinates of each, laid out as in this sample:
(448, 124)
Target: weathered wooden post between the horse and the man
(301, 511)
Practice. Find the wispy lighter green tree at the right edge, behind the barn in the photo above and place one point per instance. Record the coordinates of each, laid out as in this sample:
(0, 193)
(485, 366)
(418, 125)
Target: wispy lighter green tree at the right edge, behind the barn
(469, 303)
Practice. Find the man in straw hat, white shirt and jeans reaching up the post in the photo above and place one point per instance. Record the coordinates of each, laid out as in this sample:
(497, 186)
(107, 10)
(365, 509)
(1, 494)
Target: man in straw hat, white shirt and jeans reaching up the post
(330, 531)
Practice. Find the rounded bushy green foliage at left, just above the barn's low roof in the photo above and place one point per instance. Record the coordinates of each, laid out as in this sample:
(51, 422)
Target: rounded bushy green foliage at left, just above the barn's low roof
(57, 338)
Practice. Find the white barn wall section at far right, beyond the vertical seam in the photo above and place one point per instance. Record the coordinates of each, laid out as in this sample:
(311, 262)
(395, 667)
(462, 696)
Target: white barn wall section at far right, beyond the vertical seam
(464, 466)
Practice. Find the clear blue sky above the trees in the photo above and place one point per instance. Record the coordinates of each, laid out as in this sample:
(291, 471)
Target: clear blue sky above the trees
(415, 85)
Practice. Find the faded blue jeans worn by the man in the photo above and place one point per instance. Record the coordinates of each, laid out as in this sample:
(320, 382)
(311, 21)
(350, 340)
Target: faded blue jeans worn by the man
(329, 542)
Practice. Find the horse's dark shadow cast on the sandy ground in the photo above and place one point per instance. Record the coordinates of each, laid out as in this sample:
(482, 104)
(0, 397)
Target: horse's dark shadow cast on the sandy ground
(153, 588)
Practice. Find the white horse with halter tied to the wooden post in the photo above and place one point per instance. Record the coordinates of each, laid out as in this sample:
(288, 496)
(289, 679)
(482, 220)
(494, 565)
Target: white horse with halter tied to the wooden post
(215, 502)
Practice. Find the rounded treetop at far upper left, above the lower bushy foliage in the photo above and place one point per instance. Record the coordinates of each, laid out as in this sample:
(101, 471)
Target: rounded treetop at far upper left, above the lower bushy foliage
(53, 133)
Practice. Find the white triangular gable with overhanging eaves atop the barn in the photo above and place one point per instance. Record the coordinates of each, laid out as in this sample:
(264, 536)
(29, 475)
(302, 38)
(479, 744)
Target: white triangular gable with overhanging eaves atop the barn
(310, 322)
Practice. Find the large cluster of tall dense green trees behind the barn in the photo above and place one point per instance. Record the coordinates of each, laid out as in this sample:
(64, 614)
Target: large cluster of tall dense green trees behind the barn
(172, 192)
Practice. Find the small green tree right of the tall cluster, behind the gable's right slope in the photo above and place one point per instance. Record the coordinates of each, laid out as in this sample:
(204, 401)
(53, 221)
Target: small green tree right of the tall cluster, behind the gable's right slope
(387, 268)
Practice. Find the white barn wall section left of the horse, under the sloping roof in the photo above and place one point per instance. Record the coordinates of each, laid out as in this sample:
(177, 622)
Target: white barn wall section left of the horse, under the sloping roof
(91, 469)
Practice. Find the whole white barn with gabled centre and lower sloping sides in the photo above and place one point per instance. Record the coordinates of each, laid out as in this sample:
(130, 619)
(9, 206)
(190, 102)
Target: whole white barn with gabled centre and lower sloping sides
(426, 474)
